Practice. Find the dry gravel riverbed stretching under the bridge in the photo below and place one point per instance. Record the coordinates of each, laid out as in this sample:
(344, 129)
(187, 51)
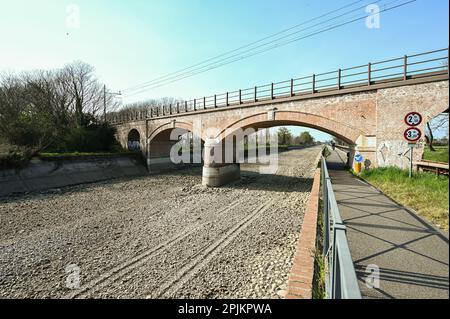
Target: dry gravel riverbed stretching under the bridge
(160, 236)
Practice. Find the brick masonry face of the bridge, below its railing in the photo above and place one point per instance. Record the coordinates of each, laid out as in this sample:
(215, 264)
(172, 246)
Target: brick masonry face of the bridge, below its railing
(370, 120)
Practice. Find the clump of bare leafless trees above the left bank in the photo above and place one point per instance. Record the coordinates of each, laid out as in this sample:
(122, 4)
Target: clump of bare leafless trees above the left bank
(39, 108)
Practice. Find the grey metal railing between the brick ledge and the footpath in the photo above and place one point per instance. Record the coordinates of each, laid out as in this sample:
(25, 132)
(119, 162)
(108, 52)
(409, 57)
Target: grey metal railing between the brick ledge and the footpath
(340, 281)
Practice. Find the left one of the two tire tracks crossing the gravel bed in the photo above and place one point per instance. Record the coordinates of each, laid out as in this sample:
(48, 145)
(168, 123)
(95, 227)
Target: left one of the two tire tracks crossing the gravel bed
(121, 270)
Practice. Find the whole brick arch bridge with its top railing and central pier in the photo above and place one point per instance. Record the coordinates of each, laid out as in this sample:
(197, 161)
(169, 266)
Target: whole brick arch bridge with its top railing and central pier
(364, 106)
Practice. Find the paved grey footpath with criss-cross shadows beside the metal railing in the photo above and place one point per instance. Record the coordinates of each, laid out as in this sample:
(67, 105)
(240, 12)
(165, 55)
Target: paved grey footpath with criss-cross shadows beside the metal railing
(412, 255)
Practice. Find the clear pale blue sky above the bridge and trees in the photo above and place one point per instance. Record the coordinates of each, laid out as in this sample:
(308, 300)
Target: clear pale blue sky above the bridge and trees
(134, 41)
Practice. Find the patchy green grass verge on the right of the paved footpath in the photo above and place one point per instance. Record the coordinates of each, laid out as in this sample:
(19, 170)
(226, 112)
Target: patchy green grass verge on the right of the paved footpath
(426, 193)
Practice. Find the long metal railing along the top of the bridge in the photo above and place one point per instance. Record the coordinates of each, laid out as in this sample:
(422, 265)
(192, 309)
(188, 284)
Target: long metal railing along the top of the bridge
(431, 63)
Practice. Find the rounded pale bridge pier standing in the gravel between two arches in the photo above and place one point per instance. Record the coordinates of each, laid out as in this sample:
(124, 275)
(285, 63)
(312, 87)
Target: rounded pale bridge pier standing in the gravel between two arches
(216, 171)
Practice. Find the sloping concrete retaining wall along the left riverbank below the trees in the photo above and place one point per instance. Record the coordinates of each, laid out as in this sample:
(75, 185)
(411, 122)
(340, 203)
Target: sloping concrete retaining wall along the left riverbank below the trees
(59, 172)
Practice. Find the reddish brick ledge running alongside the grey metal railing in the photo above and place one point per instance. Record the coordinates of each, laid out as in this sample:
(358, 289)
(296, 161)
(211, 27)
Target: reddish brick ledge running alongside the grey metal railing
(302, 272)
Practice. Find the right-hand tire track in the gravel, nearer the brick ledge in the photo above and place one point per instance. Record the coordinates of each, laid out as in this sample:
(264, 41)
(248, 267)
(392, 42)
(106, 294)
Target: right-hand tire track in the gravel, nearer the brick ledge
(175, 282)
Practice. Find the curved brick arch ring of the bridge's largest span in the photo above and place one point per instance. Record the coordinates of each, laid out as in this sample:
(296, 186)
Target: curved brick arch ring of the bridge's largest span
(343, 131)
